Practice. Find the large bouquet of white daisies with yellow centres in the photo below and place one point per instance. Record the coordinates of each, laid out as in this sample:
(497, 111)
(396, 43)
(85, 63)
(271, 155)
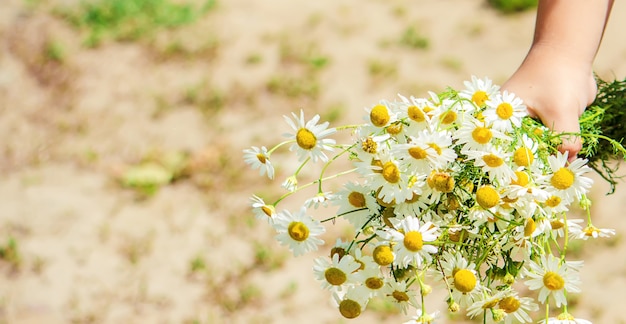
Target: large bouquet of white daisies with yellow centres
(460, 189)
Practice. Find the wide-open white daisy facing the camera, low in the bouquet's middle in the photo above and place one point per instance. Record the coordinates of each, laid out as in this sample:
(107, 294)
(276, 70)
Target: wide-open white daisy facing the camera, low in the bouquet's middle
(410, 239)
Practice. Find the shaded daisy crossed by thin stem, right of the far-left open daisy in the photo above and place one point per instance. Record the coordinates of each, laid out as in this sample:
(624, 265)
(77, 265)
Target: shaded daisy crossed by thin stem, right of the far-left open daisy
(356, 204)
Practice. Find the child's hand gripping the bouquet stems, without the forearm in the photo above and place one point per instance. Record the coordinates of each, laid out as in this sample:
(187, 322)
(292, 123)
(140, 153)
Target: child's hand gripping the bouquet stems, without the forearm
(557, 89)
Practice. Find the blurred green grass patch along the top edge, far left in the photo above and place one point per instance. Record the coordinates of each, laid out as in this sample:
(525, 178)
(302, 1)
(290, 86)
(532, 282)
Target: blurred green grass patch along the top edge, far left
(130, 20)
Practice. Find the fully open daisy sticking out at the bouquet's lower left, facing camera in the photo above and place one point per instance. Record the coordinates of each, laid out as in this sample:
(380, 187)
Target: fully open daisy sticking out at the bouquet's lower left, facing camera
(298, 231)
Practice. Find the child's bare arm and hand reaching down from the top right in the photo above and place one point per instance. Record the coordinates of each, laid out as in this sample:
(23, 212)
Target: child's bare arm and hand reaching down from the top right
(556, 78)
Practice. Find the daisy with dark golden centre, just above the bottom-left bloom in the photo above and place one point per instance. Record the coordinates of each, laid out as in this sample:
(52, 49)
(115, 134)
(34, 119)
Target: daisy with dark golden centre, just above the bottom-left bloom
(337, 272)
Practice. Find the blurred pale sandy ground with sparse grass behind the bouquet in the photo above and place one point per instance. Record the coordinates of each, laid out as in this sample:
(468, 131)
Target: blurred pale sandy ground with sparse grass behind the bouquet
(91, 250)
